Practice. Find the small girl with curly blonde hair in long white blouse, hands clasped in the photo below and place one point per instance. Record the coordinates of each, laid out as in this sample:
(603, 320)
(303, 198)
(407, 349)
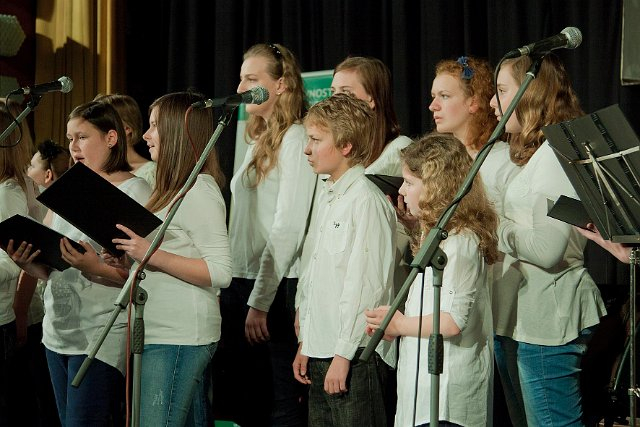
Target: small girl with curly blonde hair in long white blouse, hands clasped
(434, 167)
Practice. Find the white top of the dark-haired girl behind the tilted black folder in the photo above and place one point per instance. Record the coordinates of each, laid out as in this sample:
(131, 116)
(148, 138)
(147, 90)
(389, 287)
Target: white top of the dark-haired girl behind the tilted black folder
(76, 308)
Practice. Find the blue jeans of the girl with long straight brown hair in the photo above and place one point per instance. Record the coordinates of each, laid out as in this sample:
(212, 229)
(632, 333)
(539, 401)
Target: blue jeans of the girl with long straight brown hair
(173, 385)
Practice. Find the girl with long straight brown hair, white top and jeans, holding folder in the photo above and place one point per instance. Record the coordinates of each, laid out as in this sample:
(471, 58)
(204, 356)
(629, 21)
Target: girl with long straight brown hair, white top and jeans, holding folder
(182, 315)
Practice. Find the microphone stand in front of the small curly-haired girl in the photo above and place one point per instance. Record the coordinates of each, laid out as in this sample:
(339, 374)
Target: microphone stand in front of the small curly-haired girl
(430, 255)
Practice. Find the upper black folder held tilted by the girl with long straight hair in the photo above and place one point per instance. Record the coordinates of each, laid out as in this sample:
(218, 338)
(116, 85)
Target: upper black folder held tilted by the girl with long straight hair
(94, 206)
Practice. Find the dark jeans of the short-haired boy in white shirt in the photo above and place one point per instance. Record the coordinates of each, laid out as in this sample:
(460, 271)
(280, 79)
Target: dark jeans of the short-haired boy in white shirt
(363, 403)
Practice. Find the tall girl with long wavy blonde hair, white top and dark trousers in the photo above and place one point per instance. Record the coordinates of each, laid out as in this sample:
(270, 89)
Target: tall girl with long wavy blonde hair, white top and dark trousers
(271, 198)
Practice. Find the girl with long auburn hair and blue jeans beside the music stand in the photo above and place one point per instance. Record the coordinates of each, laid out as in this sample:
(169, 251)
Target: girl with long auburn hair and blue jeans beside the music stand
(542, 328)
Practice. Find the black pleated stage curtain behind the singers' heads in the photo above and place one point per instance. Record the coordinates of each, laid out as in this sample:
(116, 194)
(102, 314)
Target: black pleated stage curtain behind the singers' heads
(179, 44)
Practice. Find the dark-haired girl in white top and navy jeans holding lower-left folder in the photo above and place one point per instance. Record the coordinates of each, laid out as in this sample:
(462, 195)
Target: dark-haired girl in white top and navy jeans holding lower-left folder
(79, 300)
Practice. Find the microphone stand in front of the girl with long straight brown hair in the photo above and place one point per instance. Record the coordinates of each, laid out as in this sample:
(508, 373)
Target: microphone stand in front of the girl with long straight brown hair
(140, 294)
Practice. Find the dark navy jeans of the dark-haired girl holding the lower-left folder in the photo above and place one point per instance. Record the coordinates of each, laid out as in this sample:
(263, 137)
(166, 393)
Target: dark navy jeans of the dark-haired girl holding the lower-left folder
(98, 399)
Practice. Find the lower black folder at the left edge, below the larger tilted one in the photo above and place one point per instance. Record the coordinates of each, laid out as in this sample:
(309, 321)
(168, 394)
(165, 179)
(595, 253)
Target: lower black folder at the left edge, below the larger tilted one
(24, 229)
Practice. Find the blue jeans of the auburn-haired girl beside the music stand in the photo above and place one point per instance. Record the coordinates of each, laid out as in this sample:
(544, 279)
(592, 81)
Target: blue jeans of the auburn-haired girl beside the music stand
(550, 381)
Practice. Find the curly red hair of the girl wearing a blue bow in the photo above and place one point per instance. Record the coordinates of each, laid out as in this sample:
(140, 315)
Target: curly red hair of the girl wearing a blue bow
(480, 86)
